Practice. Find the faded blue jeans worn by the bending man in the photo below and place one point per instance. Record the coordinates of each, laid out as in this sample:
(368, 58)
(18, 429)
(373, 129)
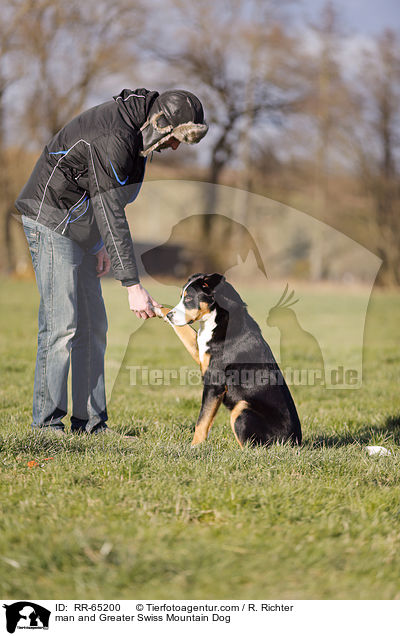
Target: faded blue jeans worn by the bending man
(72, 332)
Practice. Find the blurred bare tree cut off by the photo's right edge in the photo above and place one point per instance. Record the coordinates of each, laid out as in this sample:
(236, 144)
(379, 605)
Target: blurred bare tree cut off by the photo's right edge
(377, 147)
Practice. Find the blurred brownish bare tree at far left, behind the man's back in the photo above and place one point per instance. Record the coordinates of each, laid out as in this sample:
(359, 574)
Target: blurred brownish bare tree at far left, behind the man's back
(59, 53)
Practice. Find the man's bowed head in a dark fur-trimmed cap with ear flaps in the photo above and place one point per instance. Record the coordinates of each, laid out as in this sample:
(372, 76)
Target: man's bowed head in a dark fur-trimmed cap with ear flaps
(176, 116)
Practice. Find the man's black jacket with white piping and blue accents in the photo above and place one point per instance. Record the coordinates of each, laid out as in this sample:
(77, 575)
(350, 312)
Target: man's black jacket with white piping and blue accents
(88, 173)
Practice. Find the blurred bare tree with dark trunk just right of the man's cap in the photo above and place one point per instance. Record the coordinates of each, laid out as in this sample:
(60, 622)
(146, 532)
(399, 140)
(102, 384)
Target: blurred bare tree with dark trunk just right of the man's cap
(227, 51)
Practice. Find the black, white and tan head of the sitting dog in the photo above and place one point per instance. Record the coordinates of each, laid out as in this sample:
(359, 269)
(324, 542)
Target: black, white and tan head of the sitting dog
(200, 295)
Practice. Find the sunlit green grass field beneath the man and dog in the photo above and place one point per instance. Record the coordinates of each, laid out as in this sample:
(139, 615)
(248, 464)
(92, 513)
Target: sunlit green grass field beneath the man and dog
(153, 518)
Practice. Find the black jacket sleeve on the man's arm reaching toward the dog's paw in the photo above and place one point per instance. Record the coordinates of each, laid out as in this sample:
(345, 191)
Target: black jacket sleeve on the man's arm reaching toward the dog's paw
(110, 164)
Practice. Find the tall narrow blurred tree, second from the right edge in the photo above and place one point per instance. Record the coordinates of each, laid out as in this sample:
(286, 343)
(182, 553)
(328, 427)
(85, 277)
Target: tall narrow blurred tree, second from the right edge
(326, 111)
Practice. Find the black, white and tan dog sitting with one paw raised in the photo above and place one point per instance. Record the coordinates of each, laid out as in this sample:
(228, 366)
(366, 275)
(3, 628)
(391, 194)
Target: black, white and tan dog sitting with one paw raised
(237, 365)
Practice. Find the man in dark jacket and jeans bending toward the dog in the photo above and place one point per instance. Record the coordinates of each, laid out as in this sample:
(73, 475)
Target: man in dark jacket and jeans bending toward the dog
(74, 220)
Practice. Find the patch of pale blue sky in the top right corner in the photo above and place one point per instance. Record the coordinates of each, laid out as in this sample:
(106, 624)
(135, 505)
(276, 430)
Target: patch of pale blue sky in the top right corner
(363, 16)
